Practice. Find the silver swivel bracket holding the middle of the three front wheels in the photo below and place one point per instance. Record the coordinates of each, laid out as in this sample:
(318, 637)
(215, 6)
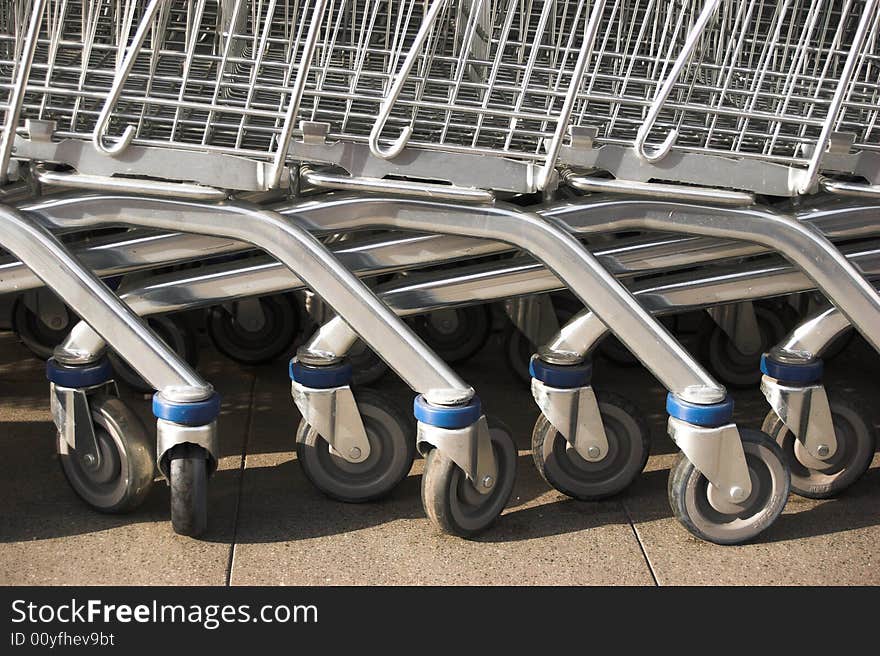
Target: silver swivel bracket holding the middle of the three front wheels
(470, 448)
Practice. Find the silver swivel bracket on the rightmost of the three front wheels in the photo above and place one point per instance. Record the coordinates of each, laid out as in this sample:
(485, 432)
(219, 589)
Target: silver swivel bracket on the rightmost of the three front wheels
(717, 452)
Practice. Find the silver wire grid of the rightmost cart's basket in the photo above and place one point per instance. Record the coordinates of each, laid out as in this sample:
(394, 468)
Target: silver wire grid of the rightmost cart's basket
(758, 85)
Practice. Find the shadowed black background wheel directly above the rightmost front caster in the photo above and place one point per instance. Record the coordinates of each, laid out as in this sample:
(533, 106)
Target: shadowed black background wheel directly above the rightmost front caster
(730, 365)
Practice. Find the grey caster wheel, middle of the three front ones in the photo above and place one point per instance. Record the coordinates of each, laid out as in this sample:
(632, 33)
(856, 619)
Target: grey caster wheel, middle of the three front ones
(450, 499)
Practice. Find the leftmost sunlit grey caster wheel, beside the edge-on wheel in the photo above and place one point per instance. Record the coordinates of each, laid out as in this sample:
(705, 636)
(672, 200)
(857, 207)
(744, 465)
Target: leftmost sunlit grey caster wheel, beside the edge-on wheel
(126, 471)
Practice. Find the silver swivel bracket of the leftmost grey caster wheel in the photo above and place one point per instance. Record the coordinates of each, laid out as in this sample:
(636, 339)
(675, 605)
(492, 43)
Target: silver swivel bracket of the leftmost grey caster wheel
(73, 417)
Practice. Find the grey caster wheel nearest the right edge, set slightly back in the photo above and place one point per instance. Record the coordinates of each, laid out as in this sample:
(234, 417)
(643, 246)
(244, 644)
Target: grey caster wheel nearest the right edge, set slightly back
(821, 479)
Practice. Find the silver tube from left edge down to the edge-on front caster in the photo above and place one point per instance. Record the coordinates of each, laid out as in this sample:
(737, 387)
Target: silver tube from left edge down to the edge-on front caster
(95, 303)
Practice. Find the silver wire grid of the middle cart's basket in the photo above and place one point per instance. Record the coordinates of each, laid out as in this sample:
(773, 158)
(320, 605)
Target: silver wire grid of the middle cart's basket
(490, 78)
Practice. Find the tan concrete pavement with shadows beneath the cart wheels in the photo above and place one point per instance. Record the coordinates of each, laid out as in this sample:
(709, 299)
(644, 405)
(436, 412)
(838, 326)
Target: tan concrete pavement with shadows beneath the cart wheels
(268, 525)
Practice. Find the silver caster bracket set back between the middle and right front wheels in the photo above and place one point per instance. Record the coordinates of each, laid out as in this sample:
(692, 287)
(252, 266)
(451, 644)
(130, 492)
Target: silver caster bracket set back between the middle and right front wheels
(575, 414)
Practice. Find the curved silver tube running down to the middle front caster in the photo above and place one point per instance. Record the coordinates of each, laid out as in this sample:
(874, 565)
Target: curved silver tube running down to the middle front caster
(295, 247)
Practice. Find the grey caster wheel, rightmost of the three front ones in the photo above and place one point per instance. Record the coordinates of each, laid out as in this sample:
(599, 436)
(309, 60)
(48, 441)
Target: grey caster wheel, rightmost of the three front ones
(719, 521)
